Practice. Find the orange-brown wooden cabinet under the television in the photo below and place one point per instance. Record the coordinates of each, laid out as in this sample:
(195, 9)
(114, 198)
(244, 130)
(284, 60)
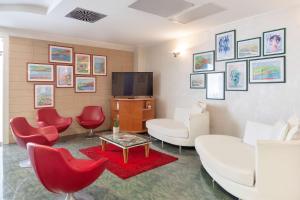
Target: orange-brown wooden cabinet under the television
(132, 113)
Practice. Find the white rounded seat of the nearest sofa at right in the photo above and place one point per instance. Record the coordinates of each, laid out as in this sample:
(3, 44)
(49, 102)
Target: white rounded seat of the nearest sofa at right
(229, 157)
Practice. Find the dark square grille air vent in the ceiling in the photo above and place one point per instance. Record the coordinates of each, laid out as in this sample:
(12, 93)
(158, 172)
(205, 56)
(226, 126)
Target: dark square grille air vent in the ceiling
(85, 15)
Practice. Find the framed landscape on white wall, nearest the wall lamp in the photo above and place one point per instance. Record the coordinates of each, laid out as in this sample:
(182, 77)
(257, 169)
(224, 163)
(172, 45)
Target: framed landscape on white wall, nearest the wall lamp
(204, 61)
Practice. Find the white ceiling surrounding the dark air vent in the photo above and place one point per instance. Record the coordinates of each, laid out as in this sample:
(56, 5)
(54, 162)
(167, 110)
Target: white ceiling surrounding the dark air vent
(123, 25)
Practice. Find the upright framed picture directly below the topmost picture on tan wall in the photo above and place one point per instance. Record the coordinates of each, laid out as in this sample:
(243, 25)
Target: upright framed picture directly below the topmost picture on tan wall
(64, 76)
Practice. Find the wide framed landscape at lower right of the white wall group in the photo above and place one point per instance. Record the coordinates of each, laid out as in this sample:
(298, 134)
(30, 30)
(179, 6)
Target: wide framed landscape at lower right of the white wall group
(267, 70)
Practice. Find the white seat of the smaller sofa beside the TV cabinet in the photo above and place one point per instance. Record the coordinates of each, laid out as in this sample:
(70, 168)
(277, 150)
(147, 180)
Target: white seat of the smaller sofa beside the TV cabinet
(168, 127)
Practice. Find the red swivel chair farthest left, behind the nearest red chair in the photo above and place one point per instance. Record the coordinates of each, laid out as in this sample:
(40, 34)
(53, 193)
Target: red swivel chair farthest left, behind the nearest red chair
(24, 133)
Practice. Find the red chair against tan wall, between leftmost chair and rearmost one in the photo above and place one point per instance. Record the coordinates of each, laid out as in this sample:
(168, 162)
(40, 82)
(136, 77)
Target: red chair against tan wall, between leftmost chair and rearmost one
(49, 116)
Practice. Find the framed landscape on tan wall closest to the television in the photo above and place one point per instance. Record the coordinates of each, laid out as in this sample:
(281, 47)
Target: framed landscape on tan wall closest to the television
(85, 84)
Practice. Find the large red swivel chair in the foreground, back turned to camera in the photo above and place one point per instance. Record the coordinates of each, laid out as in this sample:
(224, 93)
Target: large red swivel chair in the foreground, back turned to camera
(60, 172)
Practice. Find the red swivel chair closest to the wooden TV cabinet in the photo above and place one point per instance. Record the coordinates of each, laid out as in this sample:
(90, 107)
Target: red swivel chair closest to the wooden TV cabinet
(90, 118)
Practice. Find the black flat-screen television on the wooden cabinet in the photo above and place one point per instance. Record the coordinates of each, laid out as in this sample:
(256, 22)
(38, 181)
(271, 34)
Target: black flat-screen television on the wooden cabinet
(131, 84)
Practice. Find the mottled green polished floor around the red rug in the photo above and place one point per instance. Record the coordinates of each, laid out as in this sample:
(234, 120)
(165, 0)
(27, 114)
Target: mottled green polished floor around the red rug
(184, 179)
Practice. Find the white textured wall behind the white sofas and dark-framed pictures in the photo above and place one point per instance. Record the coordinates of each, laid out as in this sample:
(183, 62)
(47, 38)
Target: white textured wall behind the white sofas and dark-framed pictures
(263, 102)
